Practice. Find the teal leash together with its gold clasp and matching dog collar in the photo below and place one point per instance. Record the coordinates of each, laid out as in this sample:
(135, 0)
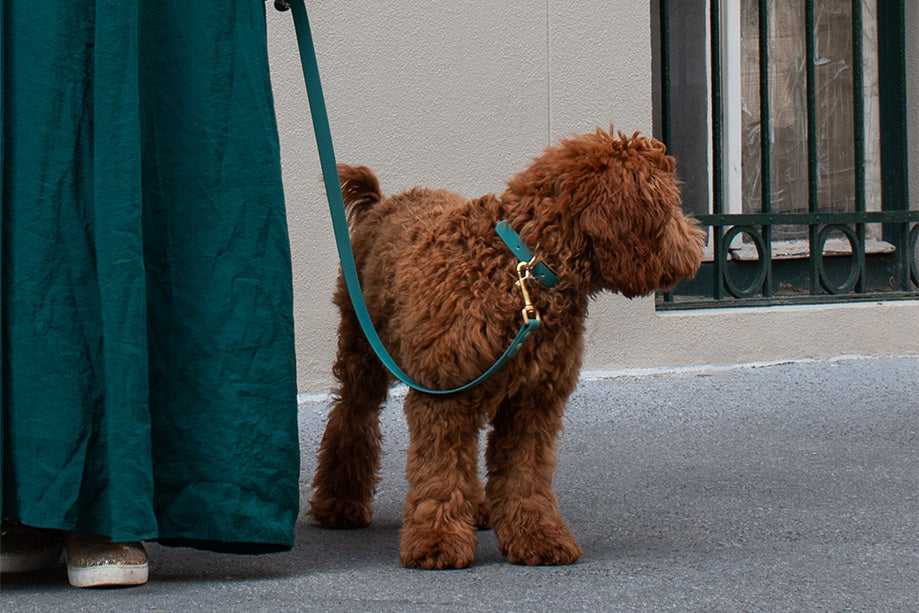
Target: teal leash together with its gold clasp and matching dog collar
(527, 267)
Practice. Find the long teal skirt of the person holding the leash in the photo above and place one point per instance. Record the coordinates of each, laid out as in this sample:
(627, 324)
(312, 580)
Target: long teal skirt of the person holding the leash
(148, 379)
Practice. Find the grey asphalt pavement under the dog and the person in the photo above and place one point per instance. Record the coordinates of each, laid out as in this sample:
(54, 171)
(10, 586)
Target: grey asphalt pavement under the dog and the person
(784, 487)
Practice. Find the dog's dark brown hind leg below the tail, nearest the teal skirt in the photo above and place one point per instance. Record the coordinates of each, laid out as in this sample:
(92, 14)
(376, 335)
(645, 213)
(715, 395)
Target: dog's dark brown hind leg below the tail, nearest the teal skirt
(349, 455)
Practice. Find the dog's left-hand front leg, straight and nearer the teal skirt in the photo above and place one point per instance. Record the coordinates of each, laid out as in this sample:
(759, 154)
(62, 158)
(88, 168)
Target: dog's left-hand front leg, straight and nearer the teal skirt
(439, 519)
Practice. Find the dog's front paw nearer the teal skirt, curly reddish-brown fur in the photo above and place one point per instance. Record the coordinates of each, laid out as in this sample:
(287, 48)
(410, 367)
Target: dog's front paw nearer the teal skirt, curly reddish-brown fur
(429, 549)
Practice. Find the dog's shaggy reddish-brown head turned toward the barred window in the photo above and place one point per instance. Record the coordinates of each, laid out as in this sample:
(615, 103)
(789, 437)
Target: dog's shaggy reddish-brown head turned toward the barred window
(620, 200)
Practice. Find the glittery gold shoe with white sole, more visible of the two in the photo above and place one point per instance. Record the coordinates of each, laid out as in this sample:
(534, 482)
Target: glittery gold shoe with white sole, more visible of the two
(95, 561)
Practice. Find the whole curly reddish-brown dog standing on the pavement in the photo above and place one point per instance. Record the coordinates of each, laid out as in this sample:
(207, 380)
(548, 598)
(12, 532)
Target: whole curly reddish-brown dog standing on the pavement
(603, 212)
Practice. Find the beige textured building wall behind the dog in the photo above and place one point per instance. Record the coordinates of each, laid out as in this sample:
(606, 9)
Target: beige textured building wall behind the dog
(461, 95)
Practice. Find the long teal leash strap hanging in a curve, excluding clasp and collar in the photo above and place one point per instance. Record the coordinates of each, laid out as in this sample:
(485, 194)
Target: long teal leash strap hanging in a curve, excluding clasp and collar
(340, 222)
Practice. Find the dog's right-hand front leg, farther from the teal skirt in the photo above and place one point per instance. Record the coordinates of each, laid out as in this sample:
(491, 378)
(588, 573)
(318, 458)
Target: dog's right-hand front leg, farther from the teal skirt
(521, 461)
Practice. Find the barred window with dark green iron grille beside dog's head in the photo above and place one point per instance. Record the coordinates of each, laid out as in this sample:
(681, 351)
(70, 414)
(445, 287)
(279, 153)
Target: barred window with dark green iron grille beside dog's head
(788, 122)
